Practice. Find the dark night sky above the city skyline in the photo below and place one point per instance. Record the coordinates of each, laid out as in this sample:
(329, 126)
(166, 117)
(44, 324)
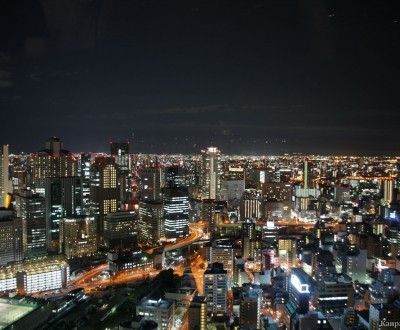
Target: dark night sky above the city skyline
(254, 77)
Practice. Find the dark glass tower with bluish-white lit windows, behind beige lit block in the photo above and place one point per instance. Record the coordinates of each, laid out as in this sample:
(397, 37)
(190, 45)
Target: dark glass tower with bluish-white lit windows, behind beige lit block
(63, 199)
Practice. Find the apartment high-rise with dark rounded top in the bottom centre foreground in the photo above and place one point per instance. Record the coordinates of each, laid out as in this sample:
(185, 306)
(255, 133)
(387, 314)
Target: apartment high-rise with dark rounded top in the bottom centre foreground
(215, 288)
